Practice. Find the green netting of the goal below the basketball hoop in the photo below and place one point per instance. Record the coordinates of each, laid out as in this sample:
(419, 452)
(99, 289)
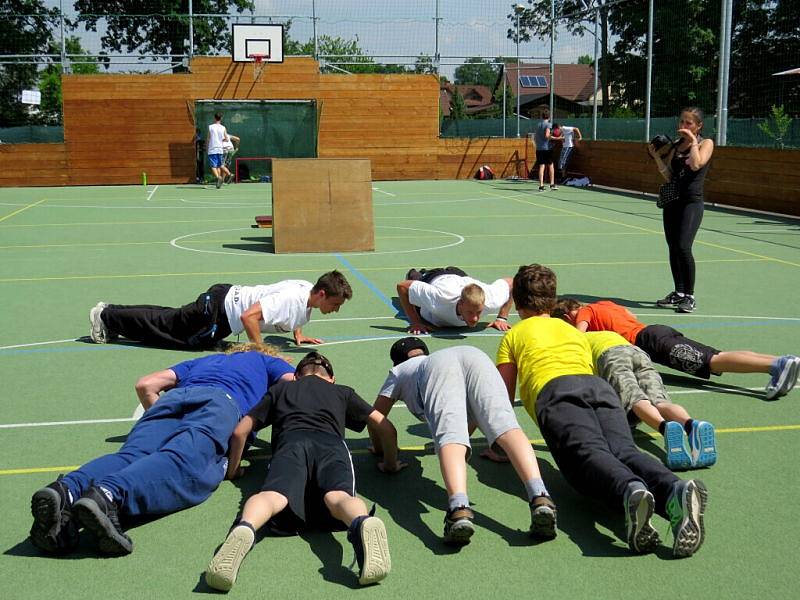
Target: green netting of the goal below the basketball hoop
(267, 128)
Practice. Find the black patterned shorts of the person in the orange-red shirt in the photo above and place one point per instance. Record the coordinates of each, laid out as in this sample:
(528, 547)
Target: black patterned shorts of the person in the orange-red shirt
(669, 347)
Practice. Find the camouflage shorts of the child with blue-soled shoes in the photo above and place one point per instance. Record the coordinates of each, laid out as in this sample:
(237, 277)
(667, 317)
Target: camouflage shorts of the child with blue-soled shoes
(630, 372)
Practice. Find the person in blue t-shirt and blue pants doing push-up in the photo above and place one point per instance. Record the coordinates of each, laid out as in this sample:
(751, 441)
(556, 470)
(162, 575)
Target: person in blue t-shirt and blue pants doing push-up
(173, 458)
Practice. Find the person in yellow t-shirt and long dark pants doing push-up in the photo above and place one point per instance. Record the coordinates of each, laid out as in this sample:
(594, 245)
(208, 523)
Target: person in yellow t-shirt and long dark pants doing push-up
(583, 424)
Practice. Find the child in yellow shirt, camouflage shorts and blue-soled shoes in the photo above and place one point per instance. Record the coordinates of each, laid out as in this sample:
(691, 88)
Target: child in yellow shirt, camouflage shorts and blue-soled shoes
(631, 373)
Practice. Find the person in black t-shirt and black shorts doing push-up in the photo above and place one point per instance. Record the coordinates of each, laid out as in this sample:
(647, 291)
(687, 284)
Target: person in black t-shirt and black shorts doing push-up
(310, 479)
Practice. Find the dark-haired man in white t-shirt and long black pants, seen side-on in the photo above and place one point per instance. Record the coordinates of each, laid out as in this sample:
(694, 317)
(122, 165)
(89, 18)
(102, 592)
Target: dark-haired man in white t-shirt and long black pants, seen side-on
(222, 310)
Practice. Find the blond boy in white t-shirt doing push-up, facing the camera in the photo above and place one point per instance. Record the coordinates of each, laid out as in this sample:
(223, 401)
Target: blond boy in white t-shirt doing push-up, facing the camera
(448, 297)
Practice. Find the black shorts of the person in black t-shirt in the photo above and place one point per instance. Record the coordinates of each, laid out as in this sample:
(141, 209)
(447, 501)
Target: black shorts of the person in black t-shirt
(306, 466)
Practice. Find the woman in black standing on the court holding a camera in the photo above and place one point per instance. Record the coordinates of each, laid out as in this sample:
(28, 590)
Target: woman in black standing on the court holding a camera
(686, 163)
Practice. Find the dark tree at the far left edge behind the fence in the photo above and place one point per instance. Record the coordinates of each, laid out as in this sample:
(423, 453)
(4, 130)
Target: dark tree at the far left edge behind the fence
(25, 28)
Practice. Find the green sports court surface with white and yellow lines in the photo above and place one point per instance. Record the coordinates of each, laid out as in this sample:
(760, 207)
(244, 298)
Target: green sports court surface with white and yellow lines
(67, 400)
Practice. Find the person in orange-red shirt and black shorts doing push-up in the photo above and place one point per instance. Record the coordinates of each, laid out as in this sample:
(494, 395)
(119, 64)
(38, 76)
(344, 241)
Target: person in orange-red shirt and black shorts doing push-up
(671, 348)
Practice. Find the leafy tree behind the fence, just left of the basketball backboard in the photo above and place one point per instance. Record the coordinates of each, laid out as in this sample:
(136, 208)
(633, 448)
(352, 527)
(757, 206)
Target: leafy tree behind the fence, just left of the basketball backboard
(132, 28)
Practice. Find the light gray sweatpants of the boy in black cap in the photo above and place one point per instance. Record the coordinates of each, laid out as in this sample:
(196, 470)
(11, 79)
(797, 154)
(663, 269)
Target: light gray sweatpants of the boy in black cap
(460, 385)
